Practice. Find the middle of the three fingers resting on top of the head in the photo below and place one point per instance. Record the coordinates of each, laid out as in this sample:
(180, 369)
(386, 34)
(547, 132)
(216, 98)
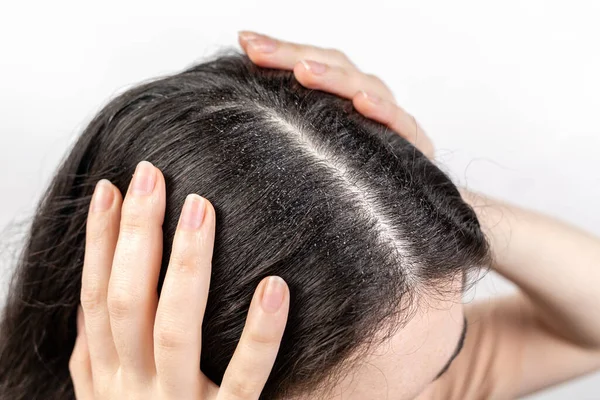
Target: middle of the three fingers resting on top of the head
(340, 81)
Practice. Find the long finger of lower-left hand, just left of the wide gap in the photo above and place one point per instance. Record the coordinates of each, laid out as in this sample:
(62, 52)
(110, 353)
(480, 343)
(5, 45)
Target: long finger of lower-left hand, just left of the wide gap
(178, 326)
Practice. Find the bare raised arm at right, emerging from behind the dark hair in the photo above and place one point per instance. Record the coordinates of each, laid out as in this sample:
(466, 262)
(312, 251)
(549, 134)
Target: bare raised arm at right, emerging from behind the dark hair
(556, 266)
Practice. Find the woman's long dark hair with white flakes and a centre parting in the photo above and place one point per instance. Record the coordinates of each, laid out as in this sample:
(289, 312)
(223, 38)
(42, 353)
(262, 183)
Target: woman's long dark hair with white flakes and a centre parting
(351, 215)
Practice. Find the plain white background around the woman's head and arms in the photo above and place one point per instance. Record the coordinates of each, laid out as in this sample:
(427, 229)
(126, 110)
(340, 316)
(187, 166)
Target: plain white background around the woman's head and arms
(509, 91)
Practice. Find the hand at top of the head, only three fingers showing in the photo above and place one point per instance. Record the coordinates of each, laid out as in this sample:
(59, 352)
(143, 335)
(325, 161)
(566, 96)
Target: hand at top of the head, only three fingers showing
(331, 71)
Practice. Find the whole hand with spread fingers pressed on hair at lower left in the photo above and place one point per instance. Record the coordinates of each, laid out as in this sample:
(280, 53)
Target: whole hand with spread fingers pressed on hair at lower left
(130, 344)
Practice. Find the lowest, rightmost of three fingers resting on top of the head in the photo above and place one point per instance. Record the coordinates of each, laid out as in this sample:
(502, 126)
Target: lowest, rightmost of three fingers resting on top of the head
(397, 119)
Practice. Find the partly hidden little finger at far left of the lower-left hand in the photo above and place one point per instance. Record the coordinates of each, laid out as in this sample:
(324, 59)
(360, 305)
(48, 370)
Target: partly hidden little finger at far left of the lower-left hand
(80, 366)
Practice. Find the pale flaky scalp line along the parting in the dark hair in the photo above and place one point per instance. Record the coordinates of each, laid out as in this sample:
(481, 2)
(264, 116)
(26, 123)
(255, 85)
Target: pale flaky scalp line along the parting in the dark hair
(359, 189)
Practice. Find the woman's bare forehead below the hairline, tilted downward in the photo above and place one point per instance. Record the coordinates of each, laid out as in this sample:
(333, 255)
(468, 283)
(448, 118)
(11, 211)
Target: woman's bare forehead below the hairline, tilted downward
(403, 366)
